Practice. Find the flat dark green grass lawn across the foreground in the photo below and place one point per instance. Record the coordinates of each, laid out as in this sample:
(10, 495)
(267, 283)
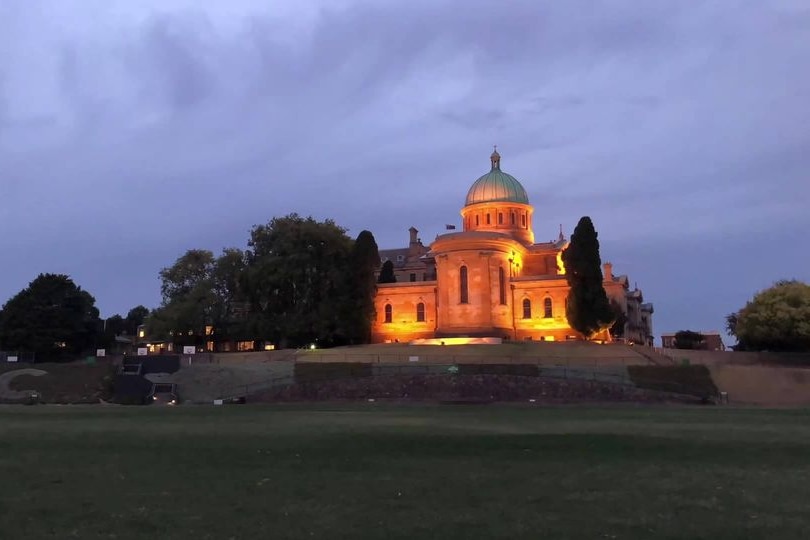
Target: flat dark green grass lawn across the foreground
(384, 471)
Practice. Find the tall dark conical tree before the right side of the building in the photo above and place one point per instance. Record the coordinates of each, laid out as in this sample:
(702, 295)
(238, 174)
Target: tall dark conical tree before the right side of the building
(588, 310)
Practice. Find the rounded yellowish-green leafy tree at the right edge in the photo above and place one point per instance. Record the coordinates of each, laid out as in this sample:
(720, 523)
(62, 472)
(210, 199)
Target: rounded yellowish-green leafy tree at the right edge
(776, 319)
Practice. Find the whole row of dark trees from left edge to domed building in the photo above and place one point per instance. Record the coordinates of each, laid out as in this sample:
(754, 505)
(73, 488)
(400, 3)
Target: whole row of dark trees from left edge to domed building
(299, 281)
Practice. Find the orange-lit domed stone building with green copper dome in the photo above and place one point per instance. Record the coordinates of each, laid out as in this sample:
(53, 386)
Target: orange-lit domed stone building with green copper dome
(491, 279)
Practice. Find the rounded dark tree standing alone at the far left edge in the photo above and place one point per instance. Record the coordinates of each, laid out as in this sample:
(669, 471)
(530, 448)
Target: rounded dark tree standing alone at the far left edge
(52, 317)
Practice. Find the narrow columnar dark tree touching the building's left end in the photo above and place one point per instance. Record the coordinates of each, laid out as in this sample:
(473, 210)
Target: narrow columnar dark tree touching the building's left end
(364, 260)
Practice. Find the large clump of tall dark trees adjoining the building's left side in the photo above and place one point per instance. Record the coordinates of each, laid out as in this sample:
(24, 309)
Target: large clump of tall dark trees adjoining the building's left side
(300, 281)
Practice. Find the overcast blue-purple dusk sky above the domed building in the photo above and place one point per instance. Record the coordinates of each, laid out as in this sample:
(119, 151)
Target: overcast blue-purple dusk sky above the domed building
(131, 131)
